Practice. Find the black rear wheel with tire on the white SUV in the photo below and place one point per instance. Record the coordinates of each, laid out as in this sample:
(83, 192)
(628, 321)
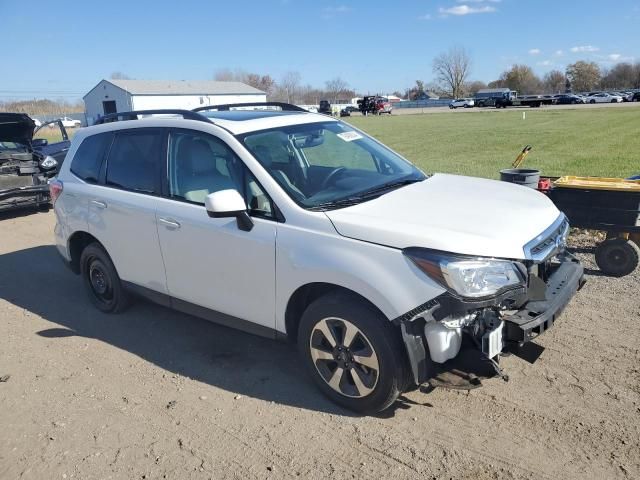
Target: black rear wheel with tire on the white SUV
(101, 280)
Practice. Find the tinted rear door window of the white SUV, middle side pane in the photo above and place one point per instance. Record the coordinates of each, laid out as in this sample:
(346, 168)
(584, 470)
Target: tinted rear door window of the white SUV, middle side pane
(134, 160)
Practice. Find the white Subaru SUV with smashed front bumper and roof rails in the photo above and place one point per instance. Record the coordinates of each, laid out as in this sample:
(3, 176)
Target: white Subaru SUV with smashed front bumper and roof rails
(295, 225)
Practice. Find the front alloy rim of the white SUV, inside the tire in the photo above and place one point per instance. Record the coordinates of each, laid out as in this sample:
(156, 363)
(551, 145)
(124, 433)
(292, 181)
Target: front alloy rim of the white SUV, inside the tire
(344, 357)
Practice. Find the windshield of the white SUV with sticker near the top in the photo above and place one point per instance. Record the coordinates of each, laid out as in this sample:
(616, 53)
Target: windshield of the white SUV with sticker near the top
(329, 164)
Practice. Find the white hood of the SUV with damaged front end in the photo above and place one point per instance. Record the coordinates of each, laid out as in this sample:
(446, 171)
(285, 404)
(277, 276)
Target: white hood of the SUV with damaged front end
(451, 213)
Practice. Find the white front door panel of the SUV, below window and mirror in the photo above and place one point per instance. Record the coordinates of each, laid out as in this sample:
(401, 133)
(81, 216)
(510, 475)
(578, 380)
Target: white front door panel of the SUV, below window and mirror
(212, 263)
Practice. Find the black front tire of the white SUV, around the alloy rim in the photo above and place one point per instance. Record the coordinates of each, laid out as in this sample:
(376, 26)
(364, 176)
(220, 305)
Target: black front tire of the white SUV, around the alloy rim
(376, 340)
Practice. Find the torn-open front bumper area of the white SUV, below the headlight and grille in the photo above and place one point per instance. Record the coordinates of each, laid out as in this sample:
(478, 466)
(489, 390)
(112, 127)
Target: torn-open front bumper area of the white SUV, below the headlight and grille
(490, 326)
